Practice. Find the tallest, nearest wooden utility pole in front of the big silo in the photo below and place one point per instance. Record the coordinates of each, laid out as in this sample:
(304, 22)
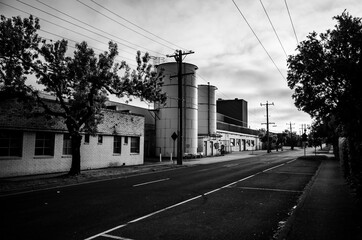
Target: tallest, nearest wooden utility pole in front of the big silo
(178, 58)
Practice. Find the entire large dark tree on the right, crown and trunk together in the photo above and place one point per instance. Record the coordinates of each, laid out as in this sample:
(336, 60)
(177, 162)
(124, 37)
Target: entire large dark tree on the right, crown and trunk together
(325, 75)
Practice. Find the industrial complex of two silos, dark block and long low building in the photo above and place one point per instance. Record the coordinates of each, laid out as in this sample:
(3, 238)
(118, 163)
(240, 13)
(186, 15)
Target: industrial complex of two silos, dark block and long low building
(208, 124)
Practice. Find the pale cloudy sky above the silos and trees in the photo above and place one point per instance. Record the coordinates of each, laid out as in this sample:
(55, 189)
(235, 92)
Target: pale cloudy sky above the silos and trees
(239, 46)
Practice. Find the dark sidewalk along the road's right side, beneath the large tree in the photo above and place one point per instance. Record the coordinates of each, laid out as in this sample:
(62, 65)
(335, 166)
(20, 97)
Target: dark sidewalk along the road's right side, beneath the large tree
(327, 209)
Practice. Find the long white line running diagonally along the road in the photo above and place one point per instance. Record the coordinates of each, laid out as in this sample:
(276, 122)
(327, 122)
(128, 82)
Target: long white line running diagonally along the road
(176, 205)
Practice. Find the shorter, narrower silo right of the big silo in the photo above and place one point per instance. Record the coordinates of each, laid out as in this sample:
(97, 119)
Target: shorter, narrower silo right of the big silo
(207, 110)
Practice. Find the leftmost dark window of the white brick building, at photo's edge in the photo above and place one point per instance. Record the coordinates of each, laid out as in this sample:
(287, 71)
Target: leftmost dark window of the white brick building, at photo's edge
(11, 143)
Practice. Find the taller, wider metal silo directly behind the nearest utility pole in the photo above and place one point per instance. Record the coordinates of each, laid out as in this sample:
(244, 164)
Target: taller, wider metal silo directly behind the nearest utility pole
(168, 115)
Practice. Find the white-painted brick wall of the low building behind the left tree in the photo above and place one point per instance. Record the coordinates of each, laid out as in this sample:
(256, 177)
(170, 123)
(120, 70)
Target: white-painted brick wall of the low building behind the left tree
(93, 155)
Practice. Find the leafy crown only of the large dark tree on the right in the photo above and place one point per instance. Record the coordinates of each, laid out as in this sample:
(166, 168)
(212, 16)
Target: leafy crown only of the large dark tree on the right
(325, 73)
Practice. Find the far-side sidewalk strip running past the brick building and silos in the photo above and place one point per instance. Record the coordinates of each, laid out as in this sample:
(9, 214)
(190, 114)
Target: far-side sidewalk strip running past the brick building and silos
(14, 185)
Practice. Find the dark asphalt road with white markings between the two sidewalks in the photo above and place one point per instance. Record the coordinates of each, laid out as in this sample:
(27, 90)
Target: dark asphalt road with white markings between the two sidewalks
(248, 198)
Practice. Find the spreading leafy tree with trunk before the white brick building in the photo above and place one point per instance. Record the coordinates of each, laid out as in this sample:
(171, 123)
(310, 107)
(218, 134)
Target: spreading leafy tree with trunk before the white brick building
(80, 81)
